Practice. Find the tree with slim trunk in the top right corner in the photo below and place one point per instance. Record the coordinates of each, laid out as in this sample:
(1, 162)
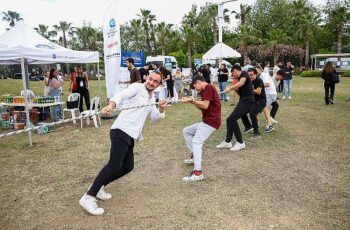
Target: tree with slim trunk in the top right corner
(338, 12)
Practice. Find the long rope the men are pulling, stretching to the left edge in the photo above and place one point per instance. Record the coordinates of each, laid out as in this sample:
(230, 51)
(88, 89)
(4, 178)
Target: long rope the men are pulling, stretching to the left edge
(78, 118)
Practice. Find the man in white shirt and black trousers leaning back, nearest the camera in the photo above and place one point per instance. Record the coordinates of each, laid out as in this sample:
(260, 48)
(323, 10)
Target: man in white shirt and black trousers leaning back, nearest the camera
(125, 129)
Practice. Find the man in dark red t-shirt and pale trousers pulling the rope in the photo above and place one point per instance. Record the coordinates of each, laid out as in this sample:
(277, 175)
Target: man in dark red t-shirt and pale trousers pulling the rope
(196, 134)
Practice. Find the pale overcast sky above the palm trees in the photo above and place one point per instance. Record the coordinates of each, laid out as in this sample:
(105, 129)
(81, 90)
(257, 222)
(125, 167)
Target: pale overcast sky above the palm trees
(50, 12)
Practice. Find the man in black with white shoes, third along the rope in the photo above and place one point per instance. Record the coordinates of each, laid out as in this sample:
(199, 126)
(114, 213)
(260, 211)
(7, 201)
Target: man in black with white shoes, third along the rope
(244, 89)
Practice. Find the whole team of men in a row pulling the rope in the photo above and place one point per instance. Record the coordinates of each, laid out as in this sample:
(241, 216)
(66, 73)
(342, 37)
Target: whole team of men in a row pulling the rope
(255, 89)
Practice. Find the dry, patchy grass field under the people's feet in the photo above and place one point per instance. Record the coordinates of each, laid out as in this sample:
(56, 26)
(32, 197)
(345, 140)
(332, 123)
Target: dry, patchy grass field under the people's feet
(296, 177)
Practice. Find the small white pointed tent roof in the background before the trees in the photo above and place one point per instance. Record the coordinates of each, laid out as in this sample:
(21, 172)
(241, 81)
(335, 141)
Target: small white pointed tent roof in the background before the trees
(221, 50)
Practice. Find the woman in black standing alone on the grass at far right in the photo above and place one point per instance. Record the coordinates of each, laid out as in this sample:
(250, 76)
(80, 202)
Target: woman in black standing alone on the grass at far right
(329, 85)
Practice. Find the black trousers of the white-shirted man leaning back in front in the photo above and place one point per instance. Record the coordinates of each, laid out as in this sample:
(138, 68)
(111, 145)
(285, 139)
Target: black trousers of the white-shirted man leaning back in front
(121, 161)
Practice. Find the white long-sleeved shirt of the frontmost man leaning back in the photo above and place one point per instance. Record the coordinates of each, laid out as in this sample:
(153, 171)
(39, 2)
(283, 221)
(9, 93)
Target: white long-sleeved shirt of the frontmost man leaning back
(131, 121)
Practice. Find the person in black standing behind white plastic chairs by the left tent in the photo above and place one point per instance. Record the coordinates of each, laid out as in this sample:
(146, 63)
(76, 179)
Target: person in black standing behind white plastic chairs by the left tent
(83, 88)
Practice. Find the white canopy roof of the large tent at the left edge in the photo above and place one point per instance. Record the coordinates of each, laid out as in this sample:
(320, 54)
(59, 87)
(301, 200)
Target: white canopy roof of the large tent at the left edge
(22, 41)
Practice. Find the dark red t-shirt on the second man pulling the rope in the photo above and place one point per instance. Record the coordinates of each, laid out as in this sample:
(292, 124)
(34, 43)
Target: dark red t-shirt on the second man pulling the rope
(211, 116)
